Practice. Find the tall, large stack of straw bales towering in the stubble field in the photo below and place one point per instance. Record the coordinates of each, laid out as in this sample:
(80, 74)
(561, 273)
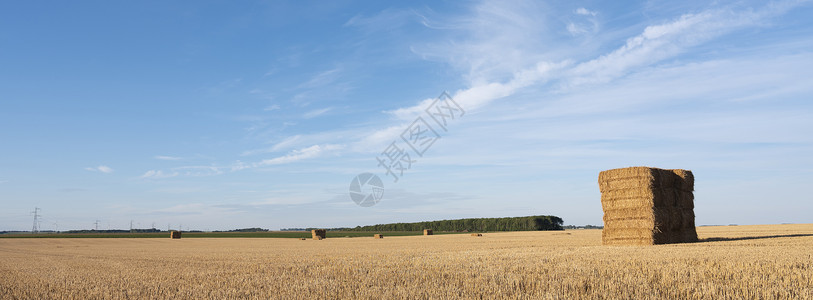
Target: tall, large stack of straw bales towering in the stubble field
(647, 206)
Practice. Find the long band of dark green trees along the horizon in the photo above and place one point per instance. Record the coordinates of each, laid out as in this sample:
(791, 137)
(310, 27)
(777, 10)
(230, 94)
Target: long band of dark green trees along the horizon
(473, 224)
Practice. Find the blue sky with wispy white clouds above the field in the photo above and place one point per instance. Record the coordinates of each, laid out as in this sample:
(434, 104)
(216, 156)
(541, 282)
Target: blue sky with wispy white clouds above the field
(220, 115)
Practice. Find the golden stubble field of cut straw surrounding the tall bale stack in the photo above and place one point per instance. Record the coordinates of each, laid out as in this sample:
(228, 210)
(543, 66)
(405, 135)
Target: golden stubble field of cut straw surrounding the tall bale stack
(734, 262)
